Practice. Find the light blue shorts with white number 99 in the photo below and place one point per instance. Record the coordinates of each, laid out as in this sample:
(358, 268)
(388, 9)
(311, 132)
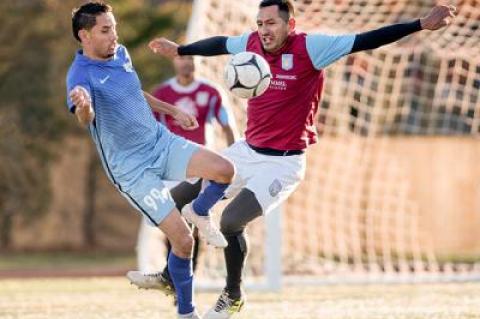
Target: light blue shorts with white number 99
(148, 193)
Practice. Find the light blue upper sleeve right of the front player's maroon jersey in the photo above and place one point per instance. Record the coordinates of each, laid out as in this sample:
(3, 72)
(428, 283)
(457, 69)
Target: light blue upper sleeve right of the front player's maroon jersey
(325, 49)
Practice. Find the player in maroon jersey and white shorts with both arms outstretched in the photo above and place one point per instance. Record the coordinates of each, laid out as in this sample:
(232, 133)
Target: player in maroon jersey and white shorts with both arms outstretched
(280, 123)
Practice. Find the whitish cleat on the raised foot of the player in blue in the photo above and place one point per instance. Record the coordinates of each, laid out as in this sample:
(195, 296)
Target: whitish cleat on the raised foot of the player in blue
(206, 228)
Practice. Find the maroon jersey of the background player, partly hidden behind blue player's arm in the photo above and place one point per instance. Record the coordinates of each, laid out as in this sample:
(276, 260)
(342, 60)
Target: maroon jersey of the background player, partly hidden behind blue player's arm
(199, 99)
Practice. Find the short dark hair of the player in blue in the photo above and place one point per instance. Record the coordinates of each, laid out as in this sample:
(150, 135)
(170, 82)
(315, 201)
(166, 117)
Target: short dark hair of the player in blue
(85, 17)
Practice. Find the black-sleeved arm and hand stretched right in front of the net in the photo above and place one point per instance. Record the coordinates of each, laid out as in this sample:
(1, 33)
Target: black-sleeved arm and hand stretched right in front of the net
(440, 16)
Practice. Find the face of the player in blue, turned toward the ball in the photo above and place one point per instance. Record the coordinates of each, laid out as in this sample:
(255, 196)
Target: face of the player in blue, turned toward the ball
(101, 40)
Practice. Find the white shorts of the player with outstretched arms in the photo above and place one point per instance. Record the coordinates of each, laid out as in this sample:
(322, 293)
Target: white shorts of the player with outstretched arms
(271, 178)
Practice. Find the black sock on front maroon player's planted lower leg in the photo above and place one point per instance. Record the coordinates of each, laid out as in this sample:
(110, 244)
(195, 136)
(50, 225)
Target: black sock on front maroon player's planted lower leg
(235, 256)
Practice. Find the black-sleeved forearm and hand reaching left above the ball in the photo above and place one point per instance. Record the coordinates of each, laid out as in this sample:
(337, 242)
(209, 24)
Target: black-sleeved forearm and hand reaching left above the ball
(206, 47)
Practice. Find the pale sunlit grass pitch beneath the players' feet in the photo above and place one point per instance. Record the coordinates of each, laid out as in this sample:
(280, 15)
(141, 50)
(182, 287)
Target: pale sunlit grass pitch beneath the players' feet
(95, 298)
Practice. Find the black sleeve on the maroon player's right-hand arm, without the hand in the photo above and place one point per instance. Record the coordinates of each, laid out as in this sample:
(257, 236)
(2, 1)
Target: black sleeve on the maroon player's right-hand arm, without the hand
(376, 38)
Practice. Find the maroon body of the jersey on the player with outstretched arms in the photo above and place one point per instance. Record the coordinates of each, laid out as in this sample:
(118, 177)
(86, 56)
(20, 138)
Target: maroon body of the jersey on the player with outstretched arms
(283, 117)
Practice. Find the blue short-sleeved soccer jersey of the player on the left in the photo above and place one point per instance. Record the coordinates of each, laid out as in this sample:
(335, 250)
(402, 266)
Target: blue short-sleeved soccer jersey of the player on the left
(124, 129)
